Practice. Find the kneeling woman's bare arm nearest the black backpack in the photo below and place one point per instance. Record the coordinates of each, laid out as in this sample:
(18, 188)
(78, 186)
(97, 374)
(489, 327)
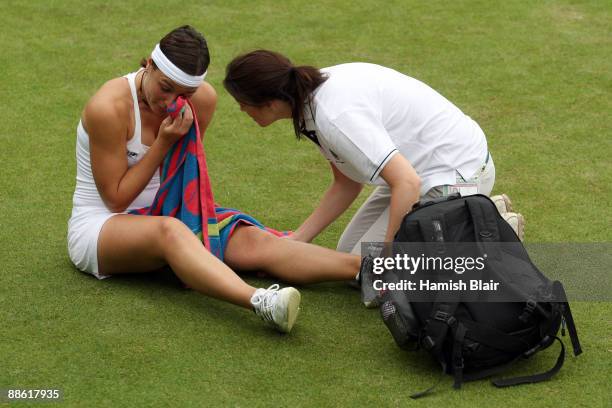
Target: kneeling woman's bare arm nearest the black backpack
(405, 185)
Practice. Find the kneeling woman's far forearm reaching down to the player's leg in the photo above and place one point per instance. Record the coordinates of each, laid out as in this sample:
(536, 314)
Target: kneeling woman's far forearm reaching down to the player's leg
(335, 201)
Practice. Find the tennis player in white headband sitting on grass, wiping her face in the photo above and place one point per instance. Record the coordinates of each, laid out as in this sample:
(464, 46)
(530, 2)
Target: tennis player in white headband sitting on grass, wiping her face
(123, 136)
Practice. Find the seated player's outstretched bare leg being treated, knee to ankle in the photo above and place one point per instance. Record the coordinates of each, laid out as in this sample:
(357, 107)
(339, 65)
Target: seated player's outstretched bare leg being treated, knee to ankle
(251, 248)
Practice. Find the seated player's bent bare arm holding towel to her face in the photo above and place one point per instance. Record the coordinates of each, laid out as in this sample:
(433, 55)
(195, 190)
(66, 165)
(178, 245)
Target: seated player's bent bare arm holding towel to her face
(117, 184)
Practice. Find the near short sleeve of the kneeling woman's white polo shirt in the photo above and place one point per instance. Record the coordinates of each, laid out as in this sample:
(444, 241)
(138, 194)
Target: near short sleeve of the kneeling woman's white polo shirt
(359, 137)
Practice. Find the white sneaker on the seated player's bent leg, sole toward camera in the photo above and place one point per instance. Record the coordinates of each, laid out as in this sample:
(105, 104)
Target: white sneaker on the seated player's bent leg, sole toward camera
(278, 308)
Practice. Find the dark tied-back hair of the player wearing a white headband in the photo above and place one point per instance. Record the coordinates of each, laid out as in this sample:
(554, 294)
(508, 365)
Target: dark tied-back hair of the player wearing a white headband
(187, 49)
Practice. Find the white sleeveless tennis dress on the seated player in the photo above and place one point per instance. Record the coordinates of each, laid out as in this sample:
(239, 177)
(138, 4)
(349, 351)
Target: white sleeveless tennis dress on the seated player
(89, 213)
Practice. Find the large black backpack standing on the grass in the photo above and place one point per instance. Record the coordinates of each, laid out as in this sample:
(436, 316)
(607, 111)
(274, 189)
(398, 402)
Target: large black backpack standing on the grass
(471, 339)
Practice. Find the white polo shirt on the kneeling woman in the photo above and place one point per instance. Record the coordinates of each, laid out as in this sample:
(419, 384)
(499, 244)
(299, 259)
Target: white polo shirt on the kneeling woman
(365, 113)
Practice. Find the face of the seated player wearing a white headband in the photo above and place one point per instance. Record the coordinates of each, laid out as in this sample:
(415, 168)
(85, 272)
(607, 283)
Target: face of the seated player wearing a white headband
(159, 91)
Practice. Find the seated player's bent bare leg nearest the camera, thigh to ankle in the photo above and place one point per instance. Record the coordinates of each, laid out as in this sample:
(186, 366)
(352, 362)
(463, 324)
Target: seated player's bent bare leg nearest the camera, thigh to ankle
(134, 243)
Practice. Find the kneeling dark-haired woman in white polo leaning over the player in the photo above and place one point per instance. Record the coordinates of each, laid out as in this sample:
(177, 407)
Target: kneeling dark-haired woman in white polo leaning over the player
(375, 126)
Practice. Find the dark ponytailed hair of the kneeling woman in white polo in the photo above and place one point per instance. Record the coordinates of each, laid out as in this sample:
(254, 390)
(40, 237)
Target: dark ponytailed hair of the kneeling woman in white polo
(261, 76)
